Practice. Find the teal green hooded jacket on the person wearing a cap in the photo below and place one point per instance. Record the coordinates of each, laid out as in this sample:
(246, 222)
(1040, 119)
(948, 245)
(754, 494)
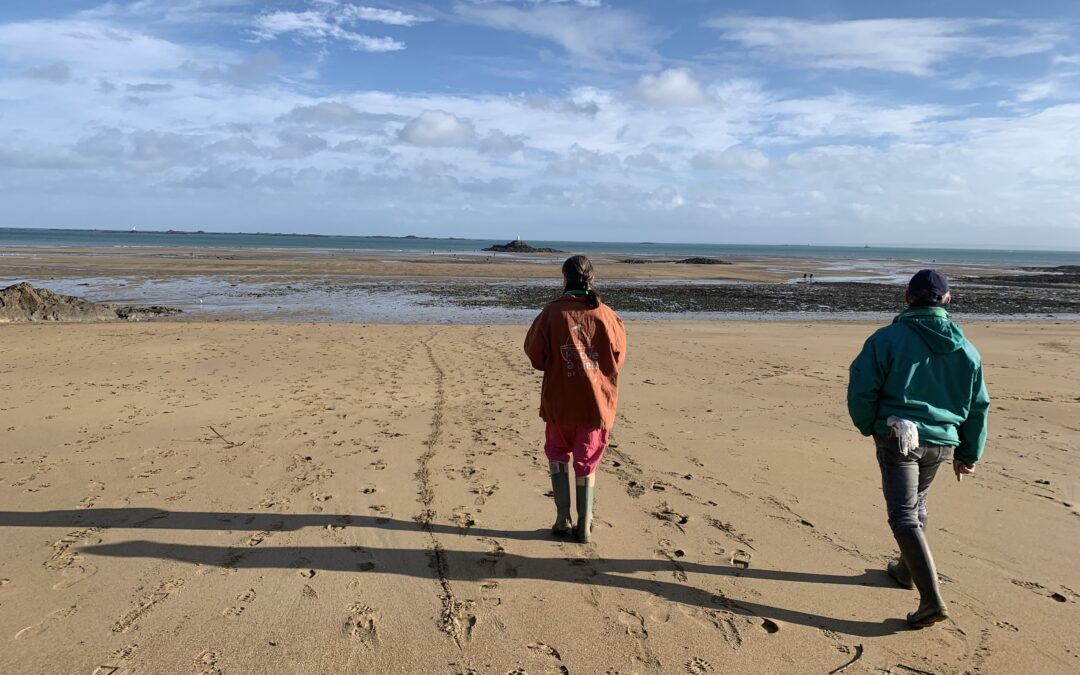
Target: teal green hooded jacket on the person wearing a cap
(922, 369)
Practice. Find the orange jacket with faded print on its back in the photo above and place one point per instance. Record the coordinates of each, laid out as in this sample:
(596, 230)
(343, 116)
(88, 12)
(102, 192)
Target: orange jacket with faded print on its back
(580, 350)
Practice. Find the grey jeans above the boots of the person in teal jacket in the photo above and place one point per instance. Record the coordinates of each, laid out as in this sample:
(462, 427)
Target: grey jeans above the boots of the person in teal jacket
(906, 481)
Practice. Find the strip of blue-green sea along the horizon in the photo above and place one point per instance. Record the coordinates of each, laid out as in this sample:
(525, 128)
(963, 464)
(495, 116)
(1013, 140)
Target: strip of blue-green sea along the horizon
(109, 239)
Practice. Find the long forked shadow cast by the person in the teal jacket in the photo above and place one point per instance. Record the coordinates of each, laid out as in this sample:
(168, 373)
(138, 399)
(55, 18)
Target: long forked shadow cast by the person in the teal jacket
(479, 566)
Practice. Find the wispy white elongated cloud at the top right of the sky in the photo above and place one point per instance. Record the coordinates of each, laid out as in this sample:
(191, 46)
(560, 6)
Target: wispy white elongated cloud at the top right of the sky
(908, 46)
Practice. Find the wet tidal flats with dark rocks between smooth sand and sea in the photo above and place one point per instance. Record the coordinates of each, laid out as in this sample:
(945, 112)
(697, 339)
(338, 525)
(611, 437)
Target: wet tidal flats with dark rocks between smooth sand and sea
(382, 288)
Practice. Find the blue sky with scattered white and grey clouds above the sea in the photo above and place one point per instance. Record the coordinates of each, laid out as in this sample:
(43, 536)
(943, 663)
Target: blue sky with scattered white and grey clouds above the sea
(934, 124)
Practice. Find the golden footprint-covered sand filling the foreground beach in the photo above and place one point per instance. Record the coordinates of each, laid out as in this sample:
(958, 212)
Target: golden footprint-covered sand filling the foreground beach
(296, 498)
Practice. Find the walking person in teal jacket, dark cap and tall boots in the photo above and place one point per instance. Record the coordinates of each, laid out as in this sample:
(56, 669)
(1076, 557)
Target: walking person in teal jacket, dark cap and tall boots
(917, 388)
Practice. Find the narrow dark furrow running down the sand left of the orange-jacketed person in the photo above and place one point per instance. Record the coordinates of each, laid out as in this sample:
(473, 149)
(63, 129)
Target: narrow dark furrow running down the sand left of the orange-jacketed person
(457, 619)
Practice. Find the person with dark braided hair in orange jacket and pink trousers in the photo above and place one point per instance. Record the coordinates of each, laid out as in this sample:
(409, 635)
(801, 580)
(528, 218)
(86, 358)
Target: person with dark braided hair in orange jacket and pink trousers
(580, 344)
